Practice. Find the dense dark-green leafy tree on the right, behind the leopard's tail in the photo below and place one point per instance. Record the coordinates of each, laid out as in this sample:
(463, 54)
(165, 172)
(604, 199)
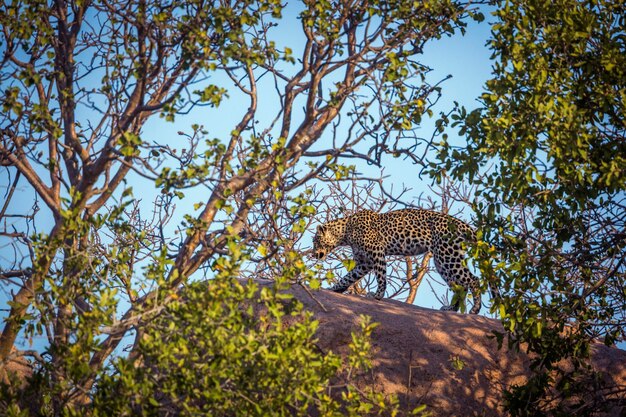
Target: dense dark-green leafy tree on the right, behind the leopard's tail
(547, 152)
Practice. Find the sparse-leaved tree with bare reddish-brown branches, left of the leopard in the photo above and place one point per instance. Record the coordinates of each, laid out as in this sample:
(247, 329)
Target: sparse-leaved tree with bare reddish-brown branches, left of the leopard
(84, 85)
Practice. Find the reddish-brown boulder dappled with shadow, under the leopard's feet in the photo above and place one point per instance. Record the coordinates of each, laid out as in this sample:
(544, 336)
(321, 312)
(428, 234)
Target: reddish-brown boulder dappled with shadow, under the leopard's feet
(415, 350)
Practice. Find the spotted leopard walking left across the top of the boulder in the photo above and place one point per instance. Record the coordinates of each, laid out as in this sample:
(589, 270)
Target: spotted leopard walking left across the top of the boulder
(405, 232)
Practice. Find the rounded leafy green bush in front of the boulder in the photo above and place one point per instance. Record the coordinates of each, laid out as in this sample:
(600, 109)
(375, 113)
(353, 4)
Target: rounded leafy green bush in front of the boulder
(225, 346)
